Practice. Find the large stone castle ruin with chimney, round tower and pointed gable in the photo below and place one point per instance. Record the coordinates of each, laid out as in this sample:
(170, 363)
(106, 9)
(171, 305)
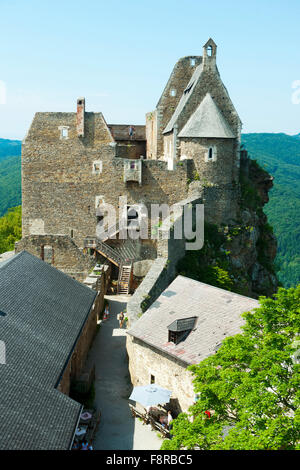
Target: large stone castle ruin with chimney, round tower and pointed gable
(188, 152)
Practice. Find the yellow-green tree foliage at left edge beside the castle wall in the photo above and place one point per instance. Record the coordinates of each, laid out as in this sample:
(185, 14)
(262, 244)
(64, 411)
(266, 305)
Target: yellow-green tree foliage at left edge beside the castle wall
(10, 229)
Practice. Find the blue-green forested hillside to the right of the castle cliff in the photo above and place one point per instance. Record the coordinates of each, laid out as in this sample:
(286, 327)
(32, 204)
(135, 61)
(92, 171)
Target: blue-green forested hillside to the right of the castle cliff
(280, 155)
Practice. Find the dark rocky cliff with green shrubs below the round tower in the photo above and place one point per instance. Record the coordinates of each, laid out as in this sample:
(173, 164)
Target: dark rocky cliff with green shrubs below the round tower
(239, 256)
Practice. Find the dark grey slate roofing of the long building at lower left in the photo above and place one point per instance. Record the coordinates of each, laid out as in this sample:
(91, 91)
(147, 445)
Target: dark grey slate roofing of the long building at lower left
(45, 311)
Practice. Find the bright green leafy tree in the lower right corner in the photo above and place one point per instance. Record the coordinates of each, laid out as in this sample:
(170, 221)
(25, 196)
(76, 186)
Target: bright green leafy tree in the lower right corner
(251, 386)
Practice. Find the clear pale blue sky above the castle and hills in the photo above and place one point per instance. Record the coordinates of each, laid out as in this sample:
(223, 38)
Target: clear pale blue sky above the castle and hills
(119, 55)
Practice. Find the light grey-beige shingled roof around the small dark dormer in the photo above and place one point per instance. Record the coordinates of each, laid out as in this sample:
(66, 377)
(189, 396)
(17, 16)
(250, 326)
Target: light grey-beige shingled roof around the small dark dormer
(218, 315)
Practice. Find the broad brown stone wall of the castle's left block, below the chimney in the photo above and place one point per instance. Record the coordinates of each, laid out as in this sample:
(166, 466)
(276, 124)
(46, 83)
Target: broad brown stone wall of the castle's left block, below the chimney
(60, 187)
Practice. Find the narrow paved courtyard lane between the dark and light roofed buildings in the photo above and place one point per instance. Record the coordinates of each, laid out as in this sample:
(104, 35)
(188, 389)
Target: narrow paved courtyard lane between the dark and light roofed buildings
(117, 429)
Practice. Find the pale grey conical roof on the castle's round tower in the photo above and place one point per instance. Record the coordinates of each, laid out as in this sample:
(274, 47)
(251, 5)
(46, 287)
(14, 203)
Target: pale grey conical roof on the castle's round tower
(207, 121)
